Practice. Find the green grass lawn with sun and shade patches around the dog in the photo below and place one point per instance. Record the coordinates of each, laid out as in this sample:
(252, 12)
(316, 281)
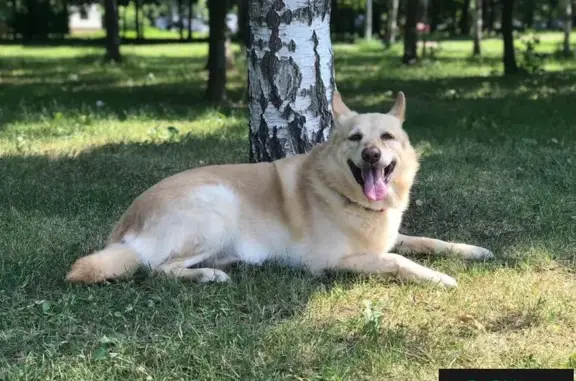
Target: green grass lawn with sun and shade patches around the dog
(79, 140)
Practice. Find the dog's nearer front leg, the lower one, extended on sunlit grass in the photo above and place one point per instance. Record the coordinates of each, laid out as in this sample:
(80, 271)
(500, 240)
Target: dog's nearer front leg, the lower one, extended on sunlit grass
(397, 266)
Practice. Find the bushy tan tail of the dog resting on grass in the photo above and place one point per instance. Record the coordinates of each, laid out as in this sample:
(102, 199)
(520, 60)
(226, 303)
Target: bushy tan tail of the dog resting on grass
(114, 261)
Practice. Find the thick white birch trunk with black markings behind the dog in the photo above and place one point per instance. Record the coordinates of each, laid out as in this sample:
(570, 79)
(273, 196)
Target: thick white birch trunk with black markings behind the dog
(290, 77)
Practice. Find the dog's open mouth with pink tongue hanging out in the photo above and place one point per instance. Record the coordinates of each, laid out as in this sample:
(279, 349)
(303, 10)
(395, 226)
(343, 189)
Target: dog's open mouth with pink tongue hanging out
(373, 179)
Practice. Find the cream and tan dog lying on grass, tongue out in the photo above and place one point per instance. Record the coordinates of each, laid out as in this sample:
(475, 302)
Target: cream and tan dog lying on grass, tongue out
(339, 206)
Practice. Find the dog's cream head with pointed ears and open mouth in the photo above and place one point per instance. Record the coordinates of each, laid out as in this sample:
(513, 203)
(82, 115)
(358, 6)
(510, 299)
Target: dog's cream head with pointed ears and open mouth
(375, 150)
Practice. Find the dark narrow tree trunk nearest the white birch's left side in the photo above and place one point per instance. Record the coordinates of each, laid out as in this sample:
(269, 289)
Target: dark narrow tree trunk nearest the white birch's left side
(216, 90)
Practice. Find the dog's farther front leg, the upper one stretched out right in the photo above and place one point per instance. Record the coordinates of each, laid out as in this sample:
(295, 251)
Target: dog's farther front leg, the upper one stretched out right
(412, 245)
